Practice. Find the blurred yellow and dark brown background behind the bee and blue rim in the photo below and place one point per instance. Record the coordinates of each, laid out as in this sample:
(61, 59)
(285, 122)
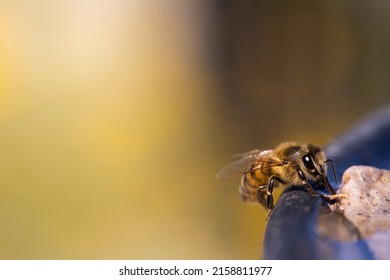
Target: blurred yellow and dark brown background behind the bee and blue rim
(116, 115)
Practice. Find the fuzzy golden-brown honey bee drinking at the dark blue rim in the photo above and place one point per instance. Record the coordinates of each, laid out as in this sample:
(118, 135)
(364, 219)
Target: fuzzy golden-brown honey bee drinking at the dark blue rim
(289, 163)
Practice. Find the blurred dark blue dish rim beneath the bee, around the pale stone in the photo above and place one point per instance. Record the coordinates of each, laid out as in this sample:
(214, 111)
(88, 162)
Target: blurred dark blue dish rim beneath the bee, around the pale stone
(300, 225)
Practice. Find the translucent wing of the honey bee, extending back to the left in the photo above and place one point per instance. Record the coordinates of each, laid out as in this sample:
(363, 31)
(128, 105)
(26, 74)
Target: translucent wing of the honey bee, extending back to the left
(243, 164)
